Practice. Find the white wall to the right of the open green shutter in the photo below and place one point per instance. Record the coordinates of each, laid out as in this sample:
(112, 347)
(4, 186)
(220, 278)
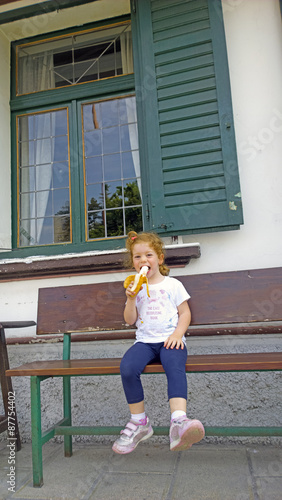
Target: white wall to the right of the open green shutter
(254, 43)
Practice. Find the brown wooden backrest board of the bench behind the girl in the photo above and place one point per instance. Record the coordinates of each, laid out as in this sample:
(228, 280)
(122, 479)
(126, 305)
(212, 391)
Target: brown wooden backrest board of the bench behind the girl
(218, 298)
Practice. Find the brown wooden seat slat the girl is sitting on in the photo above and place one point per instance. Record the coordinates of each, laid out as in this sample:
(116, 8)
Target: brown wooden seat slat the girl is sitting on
(110, 366)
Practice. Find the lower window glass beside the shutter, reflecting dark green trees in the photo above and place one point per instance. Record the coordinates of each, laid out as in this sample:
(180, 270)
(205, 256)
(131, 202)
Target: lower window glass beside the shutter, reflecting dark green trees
(112, 169)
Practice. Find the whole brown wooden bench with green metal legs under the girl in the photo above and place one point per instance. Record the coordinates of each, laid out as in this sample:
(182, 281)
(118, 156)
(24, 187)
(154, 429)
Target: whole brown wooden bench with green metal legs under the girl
(244, 302)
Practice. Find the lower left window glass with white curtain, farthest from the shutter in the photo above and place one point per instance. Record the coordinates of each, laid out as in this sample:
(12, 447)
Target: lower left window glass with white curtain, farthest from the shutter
(44, 185)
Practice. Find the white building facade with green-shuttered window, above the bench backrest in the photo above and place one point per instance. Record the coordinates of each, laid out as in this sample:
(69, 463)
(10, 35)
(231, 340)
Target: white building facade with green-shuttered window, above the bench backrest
(150, 115)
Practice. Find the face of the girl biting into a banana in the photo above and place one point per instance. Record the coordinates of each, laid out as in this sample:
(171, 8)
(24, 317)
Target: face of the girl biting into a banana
(144, 255)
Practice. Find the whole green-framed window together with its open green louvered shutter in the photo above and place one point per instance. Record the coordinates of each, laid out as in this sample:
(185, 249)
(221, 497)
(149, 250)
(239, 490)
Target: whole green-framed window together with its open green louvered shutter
(101, 150)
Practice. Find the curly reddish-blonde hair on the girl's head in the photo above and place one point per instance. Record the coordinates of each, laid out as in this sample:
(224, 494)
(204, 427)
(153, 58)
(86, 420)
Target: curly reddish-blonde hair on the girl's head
(153, 240)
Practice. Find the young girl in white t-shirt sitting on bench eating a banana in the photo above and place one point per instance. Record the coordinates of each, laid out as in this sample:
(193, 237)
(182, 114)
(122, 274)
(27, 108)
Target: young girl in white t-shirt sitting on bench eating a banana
(162, 320)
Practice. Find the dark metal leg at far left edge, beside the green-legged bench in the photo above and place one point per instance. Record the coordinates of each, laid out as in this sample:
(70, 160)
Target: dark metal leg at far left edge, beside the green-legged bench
(7, 391)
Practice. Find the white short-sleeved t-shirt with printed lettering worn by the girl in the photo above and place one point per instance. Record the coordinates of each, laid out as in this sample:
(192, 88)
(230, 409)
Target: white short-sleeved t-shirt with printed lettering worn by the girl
(157, 314)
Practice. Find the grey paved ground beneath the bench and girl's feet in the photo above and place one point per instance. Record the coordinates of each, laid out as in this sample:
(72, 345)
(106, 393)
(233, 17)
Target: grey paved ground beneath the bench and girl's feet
(151, 472)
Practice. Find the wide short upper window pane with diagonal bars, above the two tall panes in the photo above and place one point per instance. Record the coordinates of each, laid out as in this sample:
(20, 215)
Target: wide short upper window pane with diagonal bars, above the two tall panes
(74, 59)
